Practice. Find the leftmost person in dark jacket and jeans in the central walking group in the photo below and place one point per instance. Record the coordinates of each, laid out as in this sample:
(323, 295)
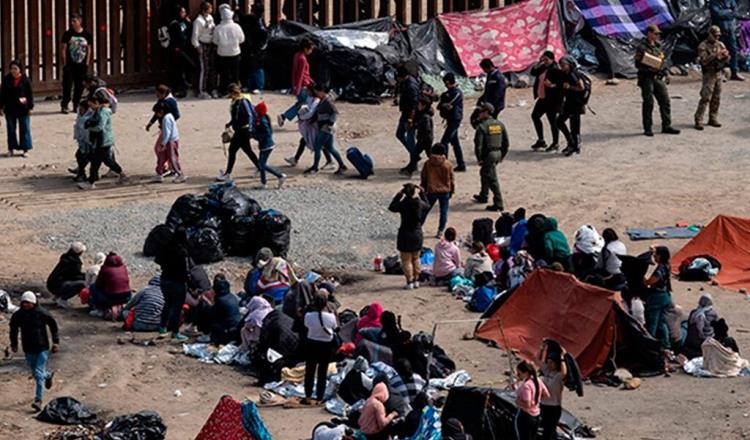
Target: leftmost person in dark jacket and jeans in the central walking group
(408, 96)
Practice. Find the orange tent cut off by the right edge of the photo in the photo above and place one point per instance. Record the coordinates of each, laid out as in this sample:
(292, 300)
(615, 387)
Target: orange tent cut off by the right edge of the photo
(728, 240)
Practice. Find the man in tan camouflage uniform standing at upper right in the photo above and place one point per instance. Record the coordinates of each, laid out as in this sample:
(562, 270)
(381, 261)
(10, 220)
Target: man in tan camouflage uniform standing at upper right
(713, 56)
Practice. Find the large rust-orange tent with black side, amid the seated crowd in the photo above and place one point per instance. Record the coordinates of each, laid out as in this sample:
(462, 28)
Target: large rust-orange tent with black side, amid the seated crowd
(590, 322)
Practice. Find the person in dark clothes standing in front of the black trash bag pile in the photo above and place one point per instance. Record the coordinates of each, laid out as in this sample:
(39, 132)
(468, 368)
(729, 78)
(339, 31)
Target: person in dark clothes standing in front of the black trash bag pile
(174, 262)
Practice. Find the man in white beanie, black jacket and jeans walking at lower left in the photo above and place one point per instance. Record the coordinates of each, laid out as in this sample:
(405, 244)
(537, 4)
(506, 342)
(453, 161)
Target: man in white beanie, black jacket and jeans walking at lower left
(32, 321)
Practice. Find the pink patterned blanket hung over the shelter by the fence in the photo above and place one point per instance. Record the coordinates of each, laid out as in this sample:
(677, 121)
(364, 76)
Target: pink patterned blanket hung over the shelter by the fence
(513, 37)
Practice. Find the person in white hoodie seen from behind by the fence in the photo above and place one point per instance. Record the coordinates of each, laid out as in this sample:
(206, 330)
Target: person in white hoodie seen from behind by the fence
(227, 37)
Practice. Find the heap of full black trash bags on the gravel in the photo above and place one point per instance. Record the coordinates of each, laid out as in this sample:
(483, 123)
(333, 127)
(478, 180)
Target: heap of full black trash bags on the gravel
(224, 221)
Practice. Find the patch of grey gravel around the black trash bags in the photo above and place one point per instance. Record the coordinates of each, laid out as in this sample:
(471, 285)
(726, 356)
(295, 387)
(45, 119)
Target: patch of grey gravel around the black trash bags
(332, 228)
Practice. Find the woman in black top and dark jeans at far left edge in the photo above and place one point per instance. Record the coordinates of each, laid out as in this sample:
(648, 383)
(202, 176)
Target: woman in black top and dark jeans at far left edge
(17, 104)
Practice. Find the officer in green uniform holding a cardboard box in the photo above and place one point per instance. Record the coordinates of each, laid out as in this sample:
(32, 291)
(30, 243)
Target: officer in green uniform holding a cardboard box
(653, 77)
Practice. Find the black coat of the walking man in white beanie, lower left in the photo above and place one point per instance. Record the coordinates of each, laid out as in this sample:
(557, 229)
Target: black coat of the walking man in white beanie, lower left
(33, 326)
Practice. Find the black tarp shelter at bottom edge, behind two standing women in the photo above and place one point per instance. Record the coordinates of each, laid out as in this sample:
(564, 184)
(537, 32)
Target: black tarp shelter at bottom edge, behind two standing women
(488, 413)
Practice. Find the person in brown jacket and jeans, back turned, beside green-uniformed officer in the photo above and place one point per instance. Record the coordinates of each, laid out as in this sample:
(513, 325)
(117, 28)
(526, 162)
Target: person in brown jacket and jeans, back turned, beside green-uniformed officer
(439, 184)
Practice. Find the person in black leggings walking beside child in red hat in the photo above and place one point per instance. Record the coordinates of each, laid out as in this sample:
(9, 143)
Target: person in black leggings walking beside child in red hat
(243, 123)
